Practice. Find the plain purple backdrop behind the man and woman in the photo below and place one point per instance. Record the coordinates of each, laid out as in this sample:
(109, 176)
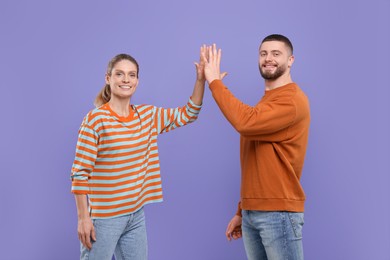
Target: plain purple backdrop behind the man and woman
(53, 57)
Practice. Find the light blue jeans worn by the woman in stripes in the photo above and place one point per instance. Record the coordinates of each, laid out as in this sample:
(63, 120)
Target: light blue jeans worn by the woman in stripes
(124, 237)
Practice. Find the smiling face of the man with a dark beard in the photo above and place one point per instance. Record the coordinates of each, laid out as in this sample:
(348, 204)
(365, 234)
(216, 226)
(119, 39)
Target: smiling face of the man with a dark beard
(275, 59)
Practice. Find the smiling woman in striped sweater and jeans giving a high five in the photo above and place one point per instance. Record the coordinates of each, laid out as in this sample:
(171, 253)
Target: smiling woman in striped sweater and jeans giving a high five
(116, 168)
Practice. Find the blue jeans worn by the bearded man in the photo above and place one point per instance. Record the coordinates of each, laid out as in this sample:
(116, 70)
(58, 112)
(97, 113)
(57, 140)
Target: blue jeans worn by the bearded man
(272, 235)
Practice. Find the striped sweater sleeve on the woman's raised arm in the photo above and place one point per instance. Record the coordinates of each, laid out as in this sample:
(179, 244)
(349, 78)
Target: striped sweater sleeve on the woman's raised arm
(167, 119)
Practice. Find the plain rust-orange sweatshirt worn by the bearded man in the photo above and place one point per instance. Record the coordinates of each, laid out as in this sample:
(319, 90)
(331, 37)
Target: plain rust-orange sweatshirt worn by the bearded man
(274, 136)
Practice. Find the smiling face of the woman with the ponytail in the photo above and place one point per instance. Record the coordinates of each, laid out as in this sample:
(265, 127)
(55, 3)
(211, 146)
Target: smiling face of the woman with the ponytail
(123, 79)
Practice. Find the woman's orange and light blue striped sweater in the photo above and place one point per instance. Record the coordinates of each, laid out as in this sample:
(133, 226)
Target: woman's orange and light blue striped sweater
(117, 163)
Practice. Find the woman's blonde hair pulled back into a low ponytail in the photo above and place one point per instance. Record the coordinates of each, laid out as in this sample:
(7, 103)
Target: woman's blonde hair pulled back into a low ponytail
(105, 93)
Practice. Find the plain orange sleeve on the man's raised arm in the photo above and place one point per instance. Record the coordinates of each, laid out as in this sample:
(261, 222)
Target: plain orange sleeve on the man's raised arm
(263, 122)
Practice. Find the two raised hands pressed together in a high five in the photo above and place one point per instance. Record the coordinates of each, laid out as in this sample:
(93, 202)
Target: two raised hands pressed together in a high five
(211, 58)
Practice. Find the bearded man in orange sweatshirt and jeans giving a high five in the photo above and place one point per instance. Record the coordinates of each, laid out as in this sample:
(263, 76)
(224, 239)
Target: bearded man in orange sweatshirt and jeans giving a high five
(273, 140)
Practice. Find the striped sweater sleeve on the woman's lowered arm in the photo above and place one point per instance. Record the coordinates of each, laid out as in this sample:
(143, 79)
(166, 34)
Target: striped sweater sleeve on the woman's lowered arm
(86, 152)
